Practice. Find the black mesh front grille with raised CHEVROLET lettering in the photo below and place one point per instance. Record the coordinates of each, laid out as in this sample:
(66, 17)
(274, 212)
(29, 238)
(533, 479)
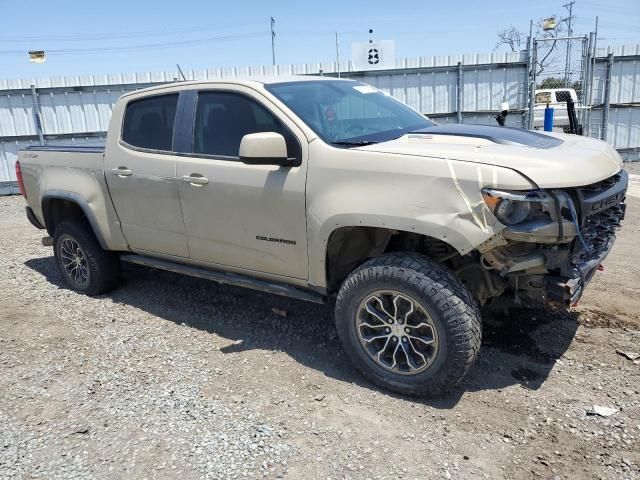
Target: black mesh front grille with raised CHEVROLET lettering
(601, 208)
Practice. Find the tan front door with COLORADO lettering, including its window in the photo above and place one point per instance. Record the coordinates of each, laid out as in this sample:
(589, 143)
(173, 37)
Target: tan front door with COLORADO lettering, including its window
(248, 217)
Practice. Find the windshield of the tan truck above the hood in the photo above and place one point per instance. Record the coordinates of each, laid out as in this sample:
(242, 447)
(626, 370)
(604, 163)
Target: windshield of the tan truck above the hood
(348, 113)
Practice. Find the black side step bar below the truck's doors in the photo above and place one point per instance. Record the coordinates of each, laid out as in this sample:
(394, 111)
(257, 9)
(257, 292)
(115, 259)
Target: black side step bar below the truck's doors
(228, 278)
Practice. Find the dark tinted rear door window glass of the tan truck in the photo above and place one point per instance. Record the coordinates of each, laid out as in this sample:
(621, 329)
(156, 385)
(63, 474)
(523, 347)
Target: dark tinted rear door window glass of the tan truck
(148, 123)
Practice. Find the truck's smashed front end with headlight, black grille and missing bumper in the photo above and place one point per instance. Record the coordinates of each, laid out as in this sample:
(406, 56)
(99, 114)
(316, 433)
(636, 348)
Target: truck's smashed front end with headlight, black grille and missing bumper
(552, 244)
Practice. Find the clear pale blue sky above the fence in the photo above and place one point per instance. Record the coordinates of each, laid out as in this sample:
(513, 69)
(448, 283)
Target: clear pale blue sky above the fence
(134, 36)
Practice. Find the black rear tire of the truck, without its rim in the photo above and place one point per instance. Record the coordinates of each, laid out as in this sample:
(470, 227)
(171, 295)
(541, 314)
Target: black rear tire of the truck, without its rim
(103, 266)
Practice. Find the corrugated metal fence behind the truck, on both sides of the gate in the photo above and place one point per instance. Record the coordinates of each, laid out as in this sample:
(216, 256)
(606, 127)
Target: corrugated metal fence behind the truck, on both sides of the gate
(454, 88)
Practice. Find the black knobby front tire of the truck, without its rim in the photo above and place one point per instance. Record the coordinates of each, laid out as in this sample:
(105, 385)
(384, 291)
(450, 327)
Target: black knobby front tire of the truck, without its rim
(447, 300)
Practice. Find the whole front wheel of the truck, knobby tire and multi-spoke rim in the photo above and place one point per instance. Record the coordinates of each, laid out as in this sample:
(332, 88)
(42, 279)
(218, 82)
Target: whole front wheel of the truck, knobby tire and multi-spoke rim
(408, 324)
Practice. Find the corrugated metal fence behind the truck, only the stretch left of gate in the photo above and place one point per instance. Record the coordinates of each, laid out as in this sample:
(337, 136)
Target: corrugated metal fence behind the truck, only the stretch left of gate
(78, 108)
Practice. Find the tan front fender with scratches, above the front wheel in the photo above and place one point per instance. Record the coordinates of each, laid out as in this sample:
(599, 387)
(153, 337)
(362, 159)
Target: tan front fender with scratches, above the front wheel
(435, 197)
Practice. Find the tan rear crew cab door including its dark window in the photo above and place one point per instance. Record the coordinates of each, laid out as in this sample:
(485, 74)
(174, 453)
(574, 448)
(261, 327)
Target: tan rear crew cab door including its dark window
(140, 167)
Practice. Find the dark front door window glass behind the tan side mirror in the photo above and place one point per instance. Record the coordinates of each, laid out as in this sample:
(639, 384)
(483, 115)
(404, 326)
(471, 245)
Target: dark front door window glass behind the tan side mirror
(223, 118)
